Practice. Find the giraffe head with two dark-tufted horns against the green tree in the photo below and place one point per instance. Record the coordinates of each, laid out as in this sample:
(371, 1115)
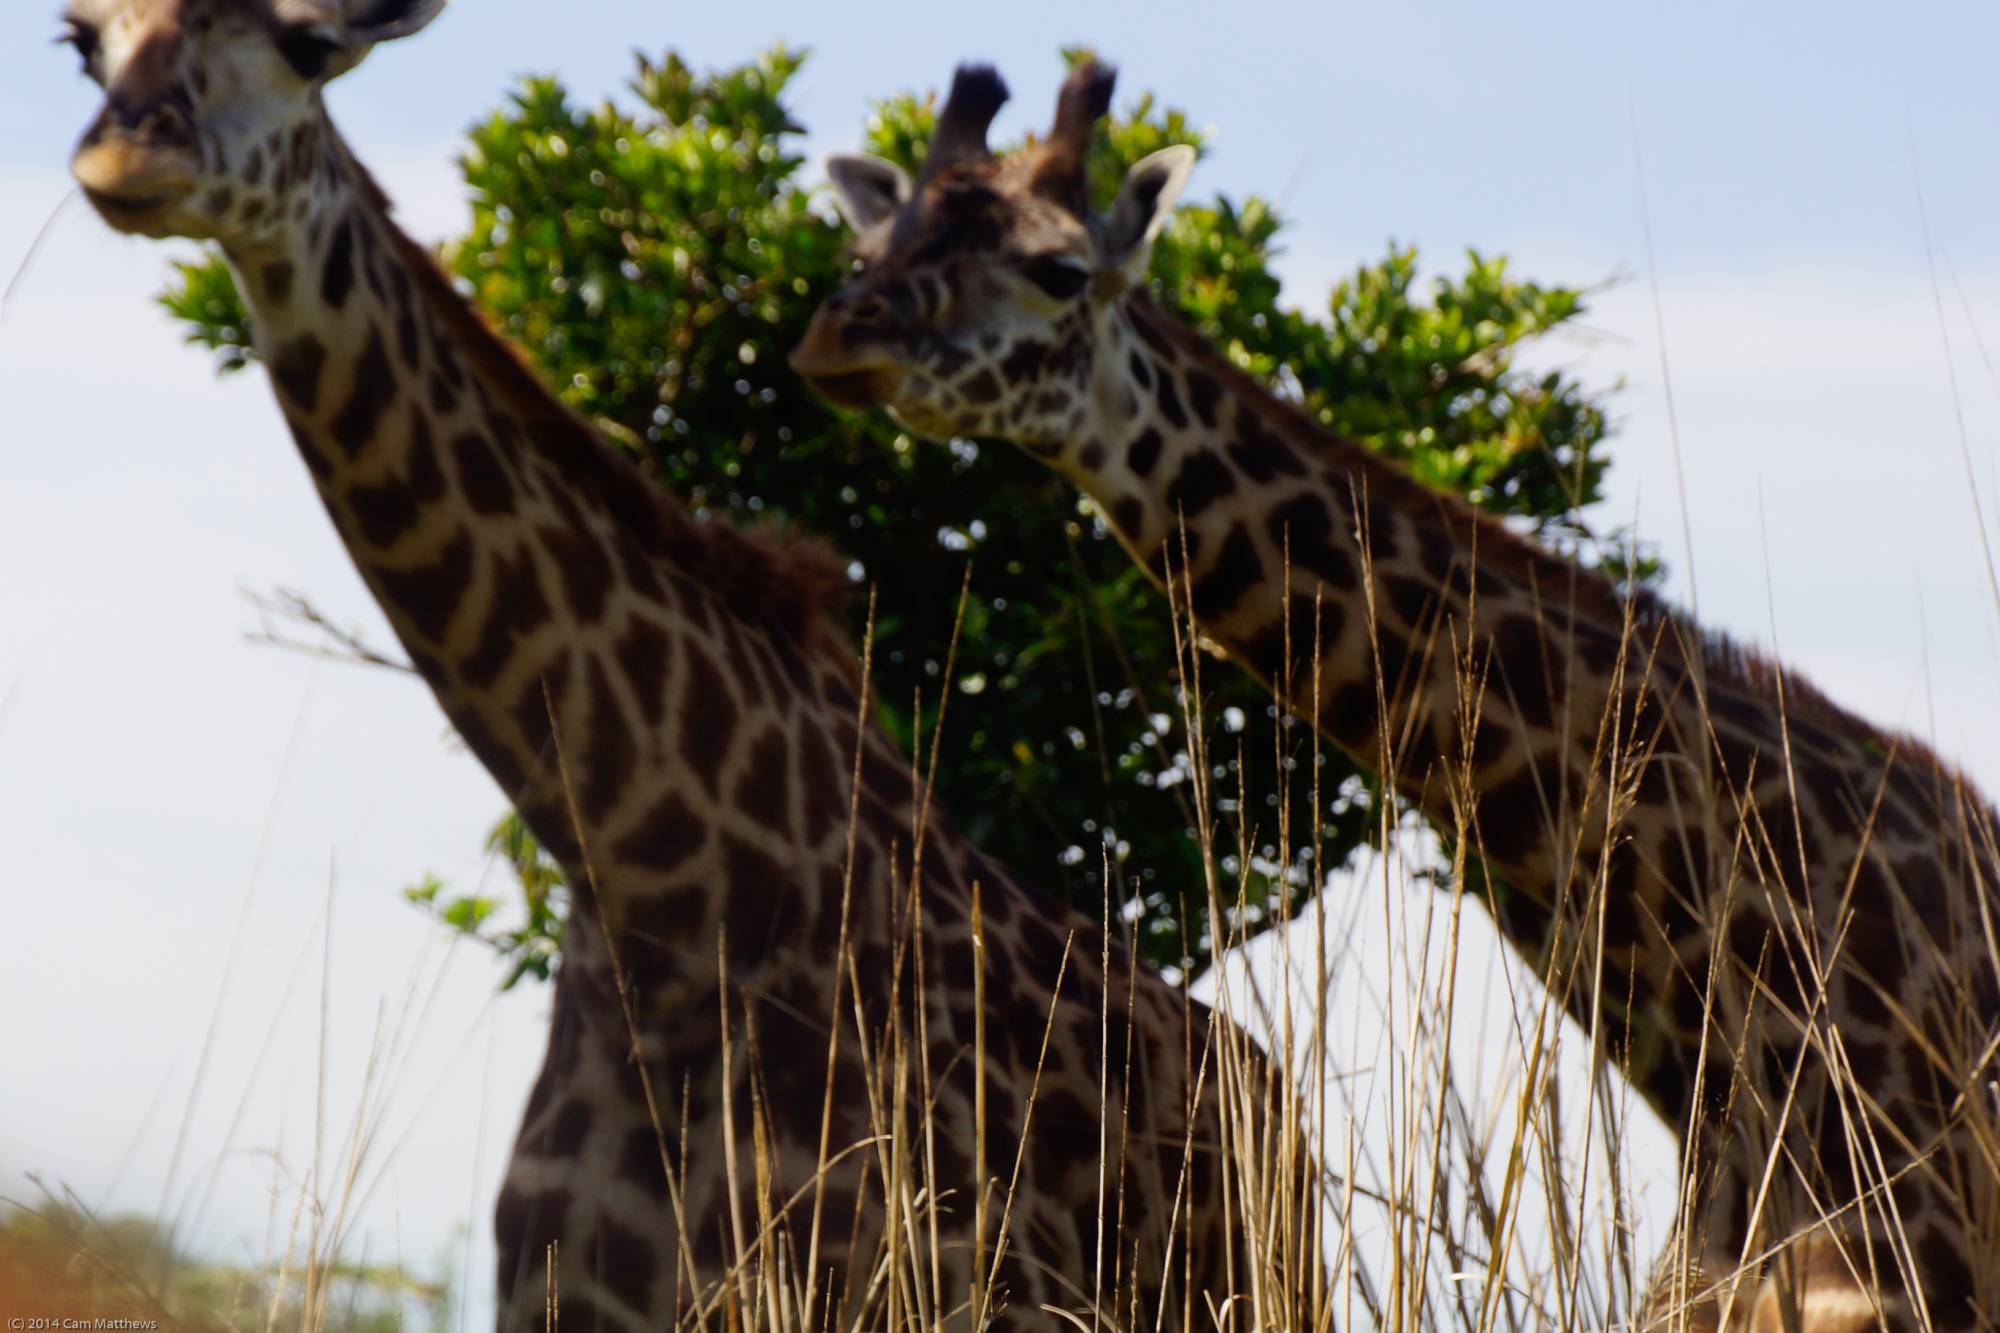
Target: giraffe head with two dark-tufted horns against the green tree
(985, 283)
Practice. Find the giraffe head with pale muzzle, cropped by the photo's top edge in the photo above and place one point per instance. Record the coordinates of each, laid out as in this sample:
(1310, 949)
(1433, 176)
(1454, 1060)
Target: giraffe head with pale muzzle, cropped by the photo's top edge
(213, 123)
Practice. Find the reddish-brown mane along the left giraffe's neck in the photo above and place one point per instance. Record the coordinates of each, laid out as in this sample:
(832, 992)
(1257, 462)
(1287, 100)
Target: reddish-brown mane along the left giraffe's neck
(787, 579)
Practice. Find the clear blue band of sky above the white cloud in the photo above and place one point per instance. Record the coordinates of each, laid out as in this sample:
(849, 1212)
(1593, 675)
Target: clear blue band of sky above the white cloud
(1449, 123)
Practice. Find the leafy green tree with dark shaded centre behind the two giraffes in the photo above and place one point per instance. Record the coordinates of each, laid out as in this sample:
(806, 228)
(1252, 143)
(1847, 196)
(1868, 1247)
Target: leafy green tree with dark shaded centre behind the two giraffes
(659, 259)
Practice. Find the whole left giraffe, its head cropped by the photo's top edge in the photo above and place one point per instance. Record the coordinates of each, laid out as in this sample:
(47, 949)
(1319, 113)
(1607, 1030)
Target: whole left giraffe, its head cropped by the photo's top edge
(683, 726)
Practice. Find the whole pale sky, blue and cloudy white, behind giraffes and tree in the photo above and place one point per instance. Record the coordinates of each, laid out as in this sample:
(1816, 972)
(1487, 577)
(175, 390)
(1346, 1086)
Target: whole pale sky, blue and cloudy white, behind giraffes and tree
(147, 760)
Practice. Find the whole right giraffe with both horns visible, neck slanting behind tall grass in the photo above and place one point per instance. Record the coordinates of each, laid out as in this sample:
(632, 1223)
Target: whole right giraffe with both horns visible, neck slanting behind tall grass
(1779, 916)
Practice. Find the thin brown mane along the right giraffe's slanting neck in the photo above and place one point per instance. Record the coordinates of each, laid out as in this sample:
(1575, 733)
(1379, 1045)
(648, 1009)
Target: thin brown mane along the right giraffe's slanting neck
(1723, 659)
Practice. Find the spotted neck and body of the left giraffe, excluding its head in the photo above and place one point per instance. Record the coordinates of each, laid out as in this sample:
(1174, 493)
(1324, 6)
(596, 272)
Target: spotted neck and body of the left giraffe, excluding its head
(681, 728)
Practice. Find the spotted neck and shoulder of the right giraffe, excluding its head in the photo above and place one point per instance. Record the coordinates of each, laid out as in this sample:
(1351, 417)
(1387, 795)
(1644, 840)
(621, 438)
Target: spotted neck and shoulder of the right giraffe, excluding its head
(1755, 898)
